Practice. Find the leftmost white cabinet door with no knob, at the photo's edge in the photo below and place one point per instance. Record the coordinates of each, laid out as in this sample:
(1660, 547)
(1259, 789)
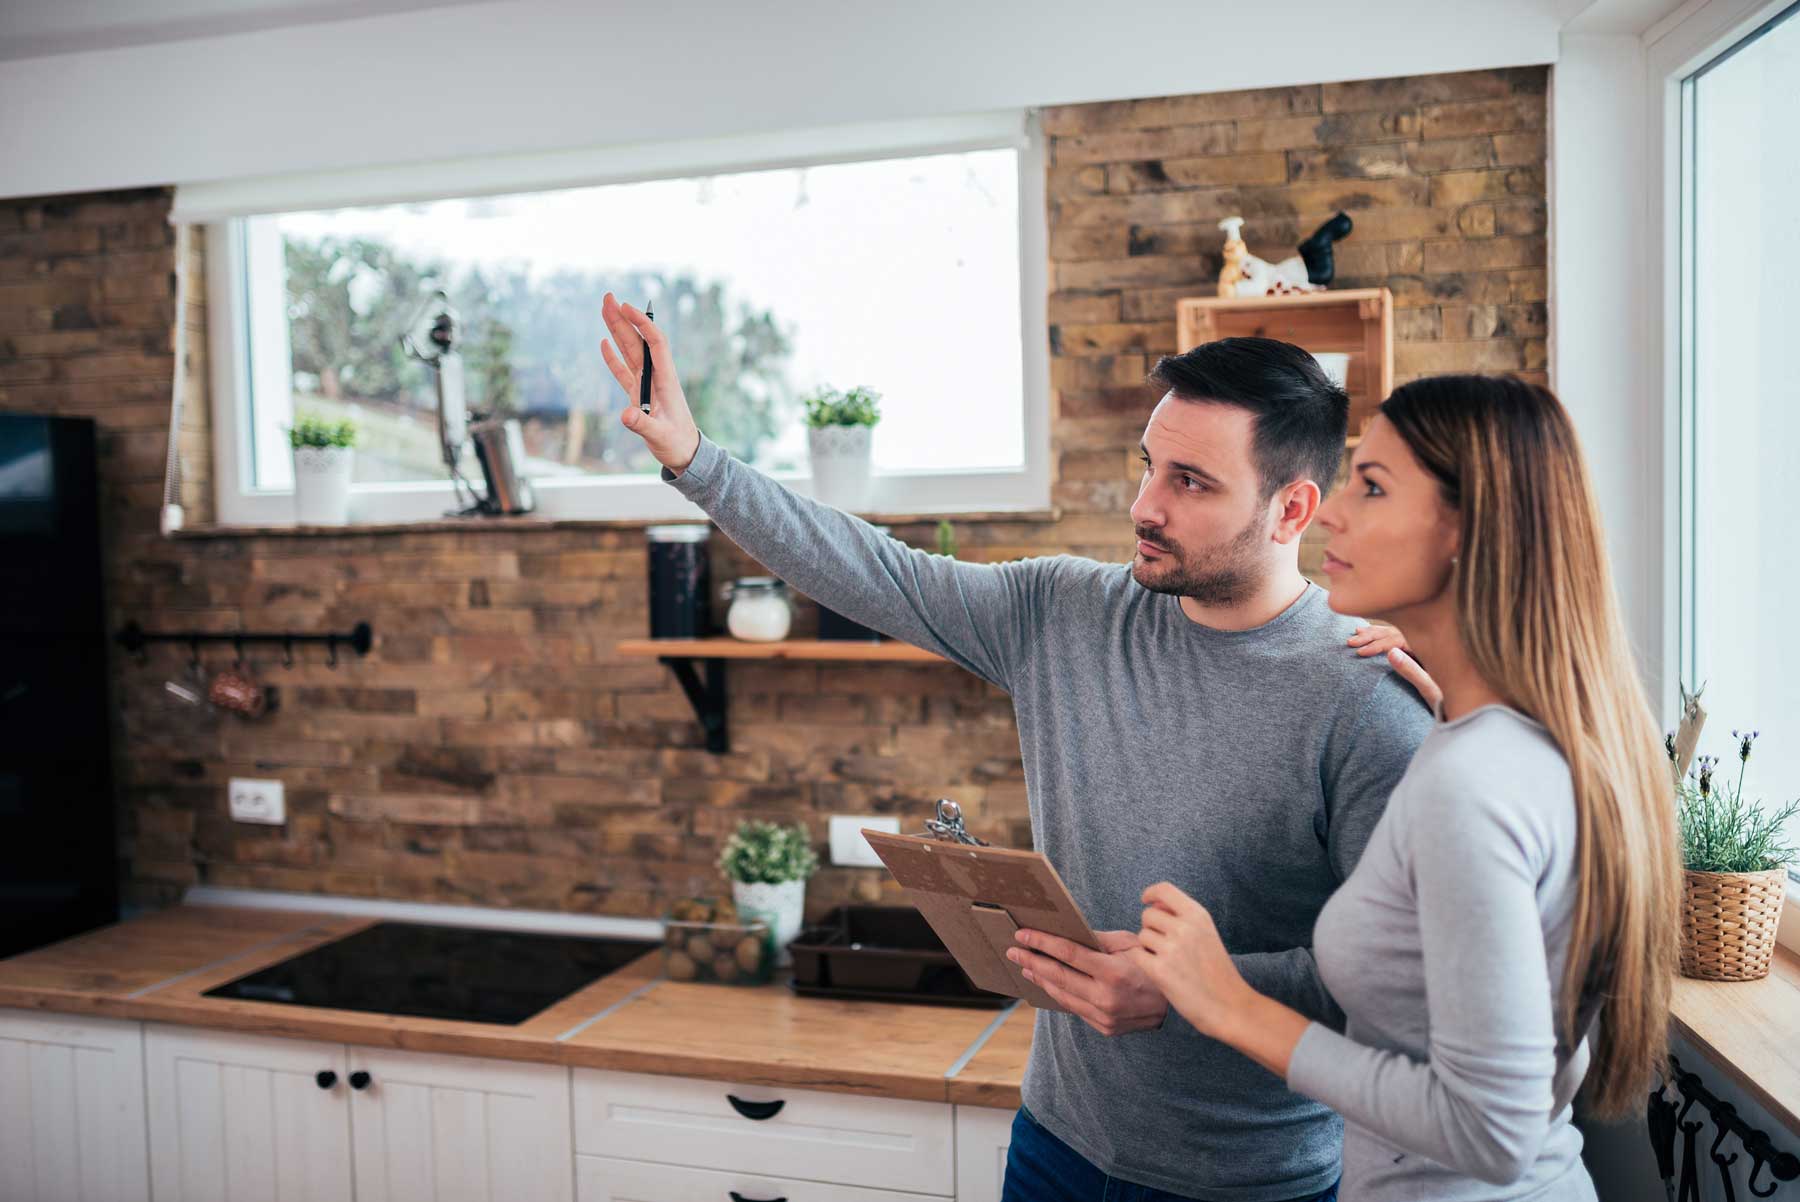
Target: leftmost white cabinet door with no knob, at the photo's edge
(71, 1109)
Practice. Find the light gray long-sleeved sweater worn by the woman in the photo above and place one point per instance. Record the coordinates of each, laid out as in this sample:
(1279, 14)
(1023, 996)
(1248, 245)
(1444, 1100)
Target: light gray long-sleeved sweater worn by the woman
(1446, 951)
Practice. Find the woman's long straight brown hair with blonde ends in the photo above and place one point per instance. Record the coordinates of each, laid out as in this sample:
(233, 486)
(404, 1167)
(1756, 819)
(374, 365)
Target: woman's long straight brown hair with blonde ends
(1540, 618)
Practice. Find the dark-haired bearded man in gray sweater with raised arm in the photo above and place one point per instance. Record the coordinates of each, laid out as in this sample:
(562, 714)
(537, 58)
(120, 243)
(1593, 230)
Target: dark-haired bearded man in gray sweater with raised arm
(1191, 717)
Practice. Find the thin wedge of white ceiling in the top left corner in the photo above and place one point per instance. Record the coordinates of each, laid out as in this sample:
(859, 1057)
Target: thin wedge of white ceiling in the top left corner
(40, 28)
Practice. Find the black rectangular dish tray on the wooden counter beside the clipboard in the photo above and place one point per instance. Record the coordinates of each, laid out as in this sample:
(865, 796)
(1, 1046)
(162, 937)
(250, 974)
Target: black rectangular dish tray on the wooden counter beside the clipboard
(883, 953)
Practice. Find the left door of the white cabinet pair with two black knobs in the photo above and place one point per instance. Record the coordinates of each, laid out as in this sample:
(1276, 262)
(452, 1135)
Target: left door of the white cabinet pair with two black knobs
(246, 1118)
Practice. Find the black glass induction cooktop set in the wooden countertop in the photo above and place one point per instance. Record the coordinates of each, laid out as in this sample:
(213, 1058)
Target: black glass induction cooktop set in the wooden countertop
(440, 973)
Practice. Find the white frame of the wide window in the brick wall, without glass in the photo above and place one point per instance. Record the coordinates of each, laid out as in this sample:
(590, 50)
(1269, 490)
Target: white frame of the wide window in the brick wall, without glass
(242, 354)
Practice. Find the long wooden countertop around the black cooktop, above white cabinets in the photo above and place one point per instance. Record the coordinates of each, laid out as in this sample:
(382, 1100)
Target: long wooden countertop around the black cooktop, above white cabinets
(157, 969)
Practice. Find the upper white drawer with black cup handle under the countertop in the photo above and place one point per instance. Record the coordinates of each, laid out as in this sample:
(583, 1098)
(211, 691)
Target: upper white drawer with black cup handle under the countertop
(787, 1133)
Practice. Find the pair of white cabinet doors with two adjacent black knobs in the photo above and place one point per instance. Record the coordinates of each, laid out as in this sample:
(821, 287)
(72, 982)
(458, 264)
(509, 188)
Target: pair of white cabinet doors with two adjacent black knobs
(249, 1118)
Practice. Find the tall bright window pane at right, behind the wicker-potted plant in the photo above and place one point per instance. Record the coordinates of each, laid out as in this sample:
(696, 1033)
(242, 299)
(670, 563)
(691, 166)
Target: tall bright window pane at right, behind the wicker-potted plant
(1740, 400)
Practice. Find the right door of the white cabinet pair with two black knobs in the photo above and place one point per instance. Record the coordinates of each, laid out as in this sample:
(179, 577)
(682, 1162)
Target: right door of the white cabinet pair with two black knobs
(454, 1129)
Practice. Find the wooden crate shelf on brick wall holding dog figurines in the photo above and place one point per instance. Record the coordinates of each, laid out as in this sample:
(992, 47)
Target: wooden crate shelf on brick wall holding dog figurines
(1356, 323)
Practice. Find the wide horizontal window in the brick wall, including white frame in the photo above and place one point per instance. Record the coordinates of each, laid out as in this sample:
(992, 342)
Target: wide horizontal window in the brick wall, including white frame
(910, 260)
